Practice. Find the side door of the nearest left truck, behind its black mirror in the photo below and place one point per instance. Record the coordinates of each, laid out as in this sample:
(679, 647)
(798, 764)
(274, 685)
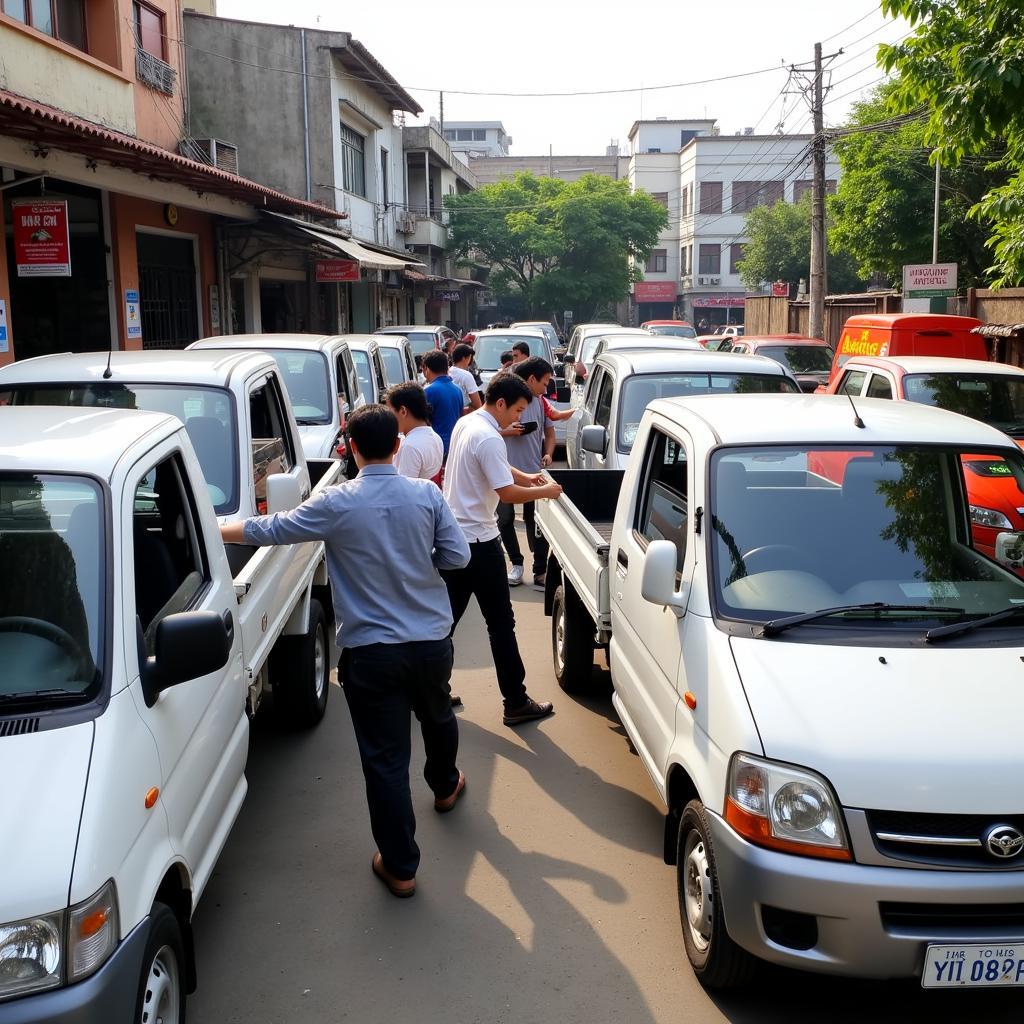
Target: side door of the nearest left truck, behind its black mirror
(200, 727)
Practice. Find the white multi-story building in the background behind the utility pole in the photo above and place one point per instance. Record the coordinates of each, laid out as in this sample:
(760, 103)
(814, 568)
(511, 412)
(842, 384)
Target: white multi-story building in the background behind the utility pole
(709, 183)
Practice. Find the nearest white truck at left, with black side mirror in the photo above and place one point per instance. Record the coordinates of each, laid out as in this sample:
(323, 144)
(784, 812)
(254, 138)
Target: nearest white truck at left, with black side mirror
(126, 649)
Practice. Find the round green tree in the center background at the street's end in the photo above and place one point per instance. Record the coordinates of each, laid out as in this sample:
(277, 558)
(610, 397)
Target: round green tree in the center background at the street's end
(560, 245)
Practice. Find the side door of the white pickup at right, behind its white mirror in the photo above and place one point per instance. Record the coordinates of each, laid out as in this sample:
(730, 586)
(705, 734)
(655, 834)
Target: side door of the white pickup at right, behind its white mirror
(647, 642)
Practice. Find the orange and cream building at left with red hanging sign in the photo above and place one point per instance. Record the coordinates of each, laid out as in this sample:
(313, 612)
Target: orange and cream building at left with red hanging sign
(111, 234)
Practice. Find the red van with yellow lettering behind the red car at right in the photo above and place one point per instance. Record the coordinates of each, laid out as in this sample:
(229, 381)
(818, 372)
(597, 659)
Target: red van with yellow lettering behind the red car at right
(909, 334)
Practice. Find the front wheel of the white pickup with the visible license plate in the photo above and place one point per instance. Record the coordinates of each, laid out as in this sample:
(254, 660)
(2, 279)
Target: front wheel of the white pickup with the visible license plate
(717, 961)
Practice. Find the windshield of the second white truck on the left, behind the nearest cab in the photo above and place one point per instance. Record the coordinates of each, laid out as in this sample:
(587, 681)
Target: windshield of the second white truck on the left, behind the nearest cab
(208, 414)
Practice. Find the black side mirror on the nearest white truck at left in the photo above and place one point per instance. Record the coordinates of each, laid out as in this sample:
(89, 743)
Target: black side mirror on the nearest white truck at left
(189, 646)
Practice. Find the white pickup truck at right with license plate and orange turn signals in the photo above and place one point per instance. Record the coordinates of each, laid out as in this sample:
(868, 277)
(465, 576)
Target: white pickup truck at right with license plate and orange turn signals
(820, 670)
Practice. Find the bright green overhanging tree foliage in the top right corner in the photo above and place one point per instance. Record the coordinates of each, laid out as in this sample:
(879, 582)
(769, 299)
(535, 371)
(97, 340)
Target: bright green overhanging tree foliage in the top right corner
(965, 65)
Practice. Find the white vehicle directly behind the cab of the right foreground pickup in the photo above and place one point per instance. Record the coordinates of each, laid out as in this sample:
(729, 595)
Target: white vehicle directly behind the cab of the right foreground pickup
(623, 385)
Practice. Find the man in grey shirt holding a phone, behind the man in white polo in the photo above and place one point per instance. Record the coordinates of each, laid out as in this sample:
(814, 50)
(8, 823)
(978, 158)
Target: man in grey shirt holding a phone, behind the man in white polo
(530, 450)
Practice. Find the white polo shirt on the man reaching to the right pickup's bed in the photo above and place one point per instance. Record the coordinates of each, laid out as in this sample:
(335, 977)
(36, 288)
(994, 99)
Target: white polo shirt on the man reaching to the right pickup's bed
(478, 466)
